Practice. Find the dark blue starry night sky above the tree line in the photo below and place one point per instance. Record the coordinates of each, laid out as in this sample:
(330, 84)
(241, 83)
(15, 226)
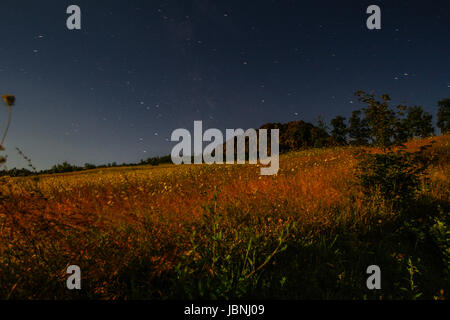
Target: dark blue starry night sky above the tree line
(137, 70)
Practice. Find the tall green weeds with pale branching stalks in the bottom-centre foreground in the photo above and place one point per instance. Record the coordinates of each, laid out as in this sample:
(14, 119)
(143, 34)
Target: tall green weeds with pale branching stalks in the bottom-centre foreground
(226, 265)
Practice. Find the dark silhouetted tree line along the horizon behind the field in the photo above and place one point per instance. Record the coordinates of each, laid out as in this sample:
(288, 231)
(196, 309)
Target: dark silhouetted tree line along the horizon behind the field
(375, 124)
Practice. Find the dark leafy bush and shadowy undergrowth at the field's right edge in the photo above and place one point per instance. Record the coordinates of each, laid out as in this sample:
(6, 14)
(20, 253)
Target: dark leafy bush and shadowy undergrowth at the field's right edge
(420, 225)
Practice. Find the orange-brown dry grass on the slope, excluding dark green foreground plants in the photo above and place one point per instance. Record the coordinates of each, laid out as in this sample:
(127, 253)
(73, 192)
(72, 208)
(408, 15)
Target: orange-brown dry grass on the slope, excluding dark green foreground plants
(104, 219)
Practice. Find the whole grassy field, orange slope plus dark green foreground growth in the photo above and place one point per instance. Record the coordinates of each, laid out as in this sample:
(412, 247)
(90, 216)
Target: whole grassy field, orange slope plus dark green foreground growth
(224, 231)
